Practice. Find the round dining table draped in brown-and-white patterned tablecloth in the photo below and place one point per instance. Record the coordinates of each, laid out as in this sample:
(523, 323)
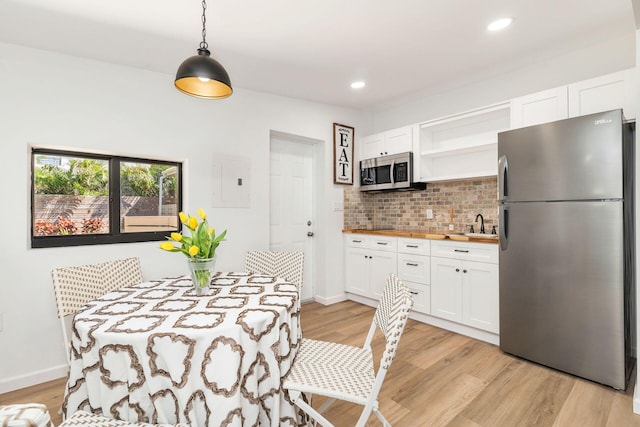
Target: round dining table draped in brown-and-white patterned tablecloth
(157, 353)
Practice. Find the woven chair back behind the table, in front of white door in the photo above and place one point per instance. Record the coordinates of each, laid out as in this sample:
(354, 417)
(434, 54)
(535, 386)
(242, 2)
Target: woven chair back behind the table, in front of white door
(288, 265)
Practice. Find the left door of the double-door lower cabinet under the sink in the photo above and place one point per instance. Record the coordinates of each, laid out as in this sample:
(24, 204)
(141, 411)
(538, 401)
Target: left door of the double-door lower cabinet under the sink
(446, 288)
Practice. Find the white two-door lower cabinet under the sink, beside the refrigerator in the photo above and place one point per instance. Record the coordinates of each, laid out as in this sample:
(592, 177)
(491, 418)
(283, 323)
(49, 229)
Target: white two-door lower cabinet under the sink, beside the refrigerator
(465, 291)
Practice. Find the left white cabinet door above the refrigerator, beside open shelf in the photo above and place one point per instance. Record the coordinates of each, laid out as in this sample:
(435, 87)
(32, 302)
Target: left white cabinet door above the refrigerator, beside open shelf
(541, 107)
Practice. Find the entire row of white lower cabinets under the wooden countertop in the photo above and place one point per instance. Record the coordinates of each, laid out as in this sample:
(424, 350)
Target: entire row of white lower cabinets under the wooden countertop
(451, 280)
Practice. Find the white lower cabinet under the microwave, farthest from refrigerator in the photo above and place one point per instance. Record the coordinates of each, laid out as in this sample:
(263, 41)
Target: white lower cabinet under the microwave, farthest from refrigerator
(367, 269)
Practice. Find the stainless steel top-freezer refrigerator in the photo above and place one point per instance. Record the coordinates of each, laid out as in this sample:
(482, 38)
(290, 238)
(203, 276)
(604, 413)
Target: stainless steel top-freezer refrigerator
(565, 194)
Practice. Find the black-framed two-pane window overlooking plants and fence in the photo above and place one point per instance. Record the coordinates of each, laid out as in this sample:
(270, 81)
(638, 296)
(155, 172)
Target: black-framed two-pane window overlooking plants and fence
(87, 199)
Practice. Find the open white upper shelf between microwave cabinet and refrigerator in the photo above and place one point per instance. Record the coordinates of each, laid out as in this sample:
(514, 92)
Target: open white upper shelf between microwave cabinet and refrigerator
(462, 146)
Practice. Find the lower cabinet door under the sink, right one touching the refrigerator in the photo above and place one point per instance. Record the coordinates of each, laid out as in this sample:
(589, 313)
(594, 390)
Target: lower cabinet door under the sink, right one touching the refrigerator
(480, 300)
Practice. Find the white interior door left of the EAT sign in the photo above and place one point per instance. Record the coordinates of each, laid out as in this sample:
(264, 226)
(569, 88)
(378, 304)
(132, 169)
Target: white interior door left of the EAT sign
(291, 204)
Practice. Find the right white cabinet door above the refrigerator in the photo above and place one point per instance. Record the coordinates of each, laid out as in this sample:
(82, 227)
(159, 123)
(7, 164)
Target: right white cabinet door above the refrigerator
(609, 92)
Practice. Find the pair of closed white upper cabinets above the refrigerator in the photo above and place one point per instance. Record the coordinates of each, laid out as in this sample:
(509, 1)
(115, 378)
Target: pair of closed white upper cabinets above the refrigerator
(608, 92)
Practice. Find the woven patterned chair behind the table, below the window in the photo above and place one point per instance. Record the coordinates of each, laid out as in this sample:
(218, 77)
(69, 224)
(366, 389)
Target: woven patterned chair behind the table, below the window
(75, 286)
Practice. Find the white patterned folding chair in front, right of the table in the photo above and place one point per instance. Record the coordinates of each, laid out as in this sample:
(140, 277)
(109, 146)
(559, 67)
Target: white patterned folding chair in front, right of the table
(343, 372)
